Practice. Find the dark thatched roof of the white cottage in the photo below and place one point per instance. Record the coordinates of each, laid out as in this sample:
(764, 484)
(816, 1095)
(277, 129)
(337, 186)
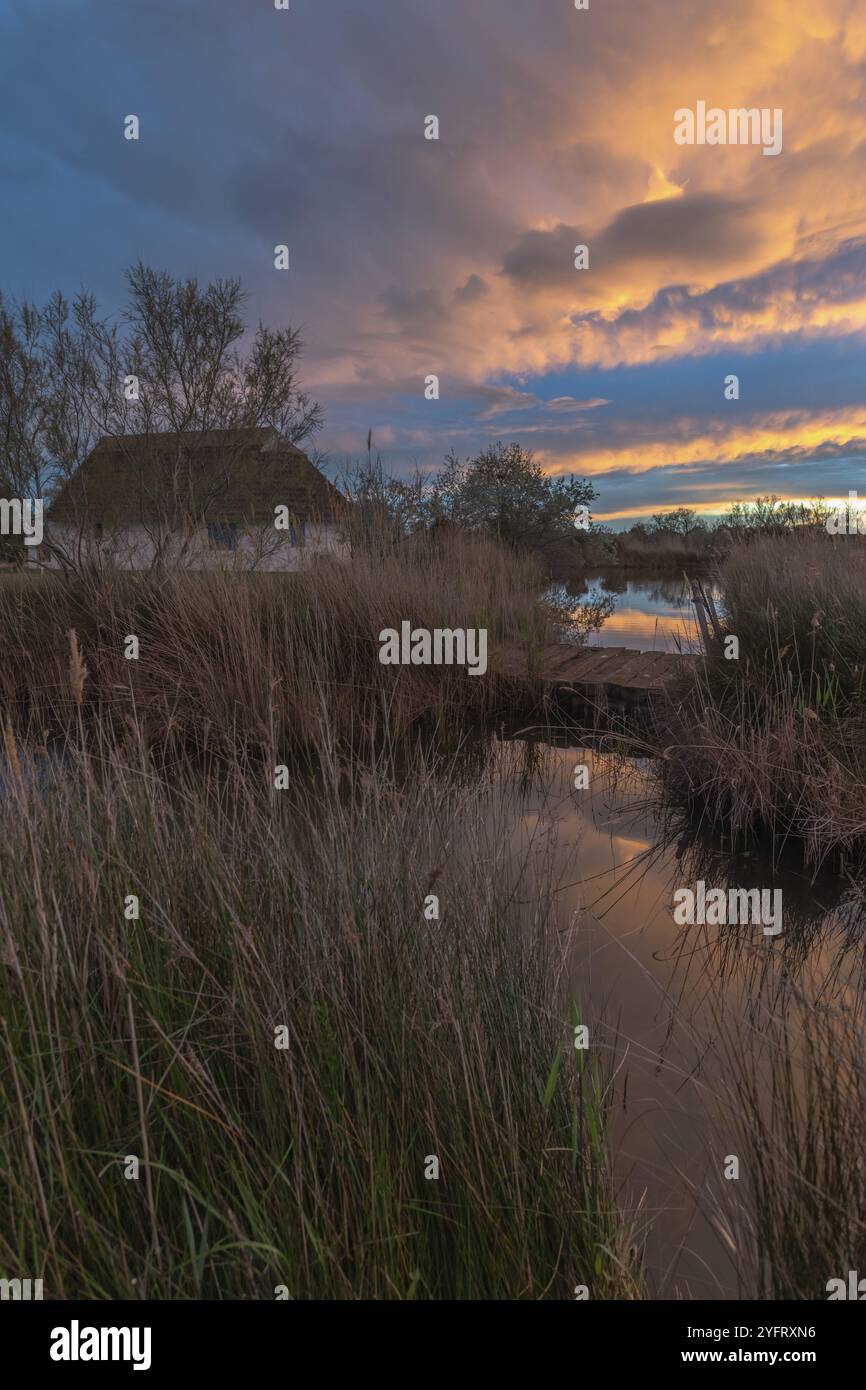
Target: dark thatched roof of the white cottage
(222, 476)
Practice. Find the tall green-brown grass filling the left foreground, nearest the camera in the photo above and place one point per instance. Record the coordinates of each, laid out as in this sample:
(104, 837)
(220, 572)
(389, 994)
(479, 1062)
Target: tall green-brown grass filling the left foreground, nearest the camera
(408, 1040)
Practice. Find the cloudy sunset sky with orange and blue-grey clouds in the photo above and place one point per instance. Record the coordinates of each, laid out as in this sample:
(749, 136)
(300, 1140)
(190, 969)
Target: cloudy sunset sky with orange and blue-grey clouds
(455, 258)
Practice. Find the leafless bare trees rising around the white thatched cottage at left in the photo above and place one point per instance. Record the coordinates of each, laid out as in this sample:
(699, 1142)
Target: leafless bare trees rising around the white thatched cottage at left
(159, 382)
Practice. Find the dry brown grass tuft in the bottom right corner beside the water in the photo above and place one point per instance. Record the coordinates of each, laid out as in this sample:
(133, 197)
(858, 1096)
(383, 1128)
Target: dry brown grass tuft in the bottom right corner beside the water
(793, 1099)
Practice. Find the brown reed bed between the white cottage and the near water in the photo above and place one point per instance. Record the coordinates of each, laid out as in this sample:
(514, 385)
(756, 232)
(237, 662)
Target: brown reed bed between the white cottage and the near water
(237, 661)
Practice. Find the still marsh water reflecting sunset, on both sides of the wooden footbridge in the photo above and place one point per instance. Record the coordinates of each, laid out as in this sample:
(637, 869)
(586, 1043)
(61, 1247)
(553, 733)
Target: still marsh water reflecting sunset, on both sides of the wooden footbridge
(703, 1025)
